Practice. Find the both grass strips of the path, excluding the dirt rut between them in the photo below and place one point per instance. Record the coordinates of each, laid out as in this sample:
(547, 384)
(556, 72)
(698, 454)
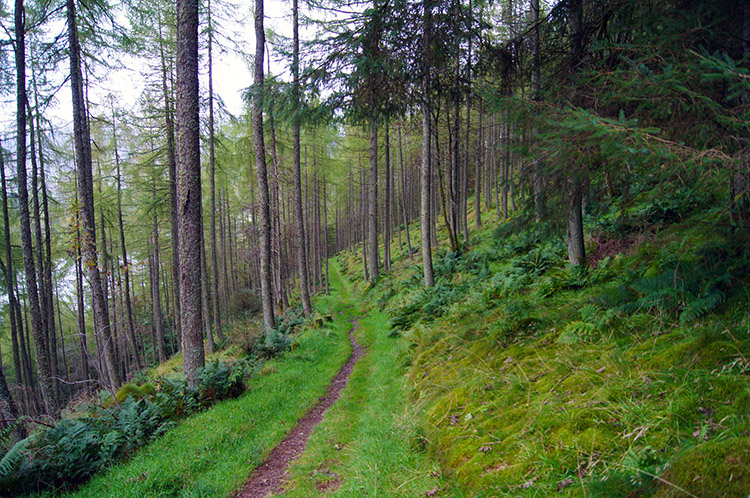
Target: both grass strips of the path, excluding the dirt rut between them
(367, 445)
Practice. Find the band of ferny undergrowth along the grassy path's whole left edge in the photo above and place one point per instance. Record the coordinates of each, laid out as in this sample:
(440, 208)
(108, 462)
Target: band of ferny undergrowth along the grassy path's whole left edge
(102, 430)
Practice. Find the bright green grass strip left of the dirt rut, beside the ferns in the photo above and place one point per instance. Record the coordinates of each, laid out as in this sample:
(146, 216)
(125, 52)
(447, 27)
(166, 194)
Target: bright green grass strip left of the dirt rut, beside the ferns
(211, 454)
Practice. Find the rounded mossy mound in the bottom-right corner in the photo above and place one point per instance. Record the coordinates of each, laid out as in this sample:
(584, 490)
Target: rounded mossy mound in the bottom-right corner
(716, 469)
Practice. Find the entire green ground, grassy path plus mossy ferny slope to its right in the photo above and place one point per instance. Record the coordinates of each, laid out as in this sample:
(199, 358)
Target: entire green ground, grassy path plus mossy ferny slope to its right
(514, 376)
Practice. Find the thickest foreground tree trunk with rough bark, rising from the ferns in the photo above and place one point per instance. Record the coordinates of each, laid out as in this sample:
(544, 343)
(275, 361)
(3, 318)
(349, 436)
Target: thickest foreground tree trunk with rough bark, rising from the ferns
(189, 188)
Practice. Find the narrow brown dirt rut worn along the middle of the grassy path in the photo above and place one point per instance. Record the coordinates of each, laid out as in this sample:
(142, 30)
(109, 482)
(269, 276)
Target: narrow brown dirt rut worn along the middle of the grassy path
(269, 477)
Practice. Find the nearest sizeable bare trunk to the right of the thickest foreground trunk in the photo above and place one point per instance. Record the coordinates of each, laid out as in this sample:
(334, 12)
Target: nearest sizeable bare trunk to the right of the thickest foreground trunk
(260, 165)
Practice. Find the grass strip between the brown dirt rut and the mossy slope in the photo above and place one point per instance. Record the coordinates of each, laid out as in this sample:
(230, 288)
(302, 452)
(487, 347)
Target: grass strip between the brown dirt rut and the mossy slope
(369, 443)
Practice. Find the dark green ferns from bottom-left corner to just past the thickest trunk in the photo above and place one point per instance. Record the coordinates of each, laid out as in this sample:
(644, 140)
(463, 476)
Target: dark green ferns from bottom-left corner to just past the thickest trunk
(76, 449)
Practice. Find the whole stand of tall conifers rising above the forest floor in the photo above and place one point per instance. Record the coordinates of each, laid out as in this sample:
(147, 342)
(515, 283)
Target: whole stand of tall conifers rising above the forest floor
(394, 113)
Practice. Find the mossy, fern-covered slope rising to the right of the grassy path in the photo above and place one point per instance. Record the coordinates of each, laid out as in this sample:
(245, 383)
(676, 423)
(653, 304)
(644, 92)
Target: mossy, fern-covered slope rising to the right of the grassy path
(627, 378)
